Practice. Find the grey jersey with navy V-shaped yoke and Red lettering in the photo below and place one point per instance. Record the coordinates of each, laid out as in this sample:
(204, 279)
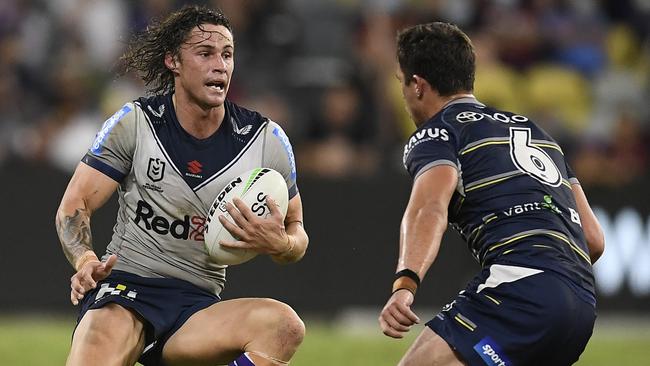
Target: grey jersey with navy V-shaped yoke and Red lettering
(168, 180)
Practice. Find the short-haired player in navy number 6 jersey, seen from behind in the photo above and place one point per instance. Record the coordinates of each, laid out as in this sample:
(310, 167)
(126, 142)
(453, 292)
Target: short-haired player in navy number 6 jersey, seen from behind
(504, 185)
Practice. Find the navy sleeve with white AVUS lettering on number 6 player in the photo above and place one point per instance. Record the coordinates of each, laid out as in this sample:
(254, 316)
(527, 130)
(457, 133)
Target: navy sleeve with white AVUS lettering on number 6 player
(429, 147)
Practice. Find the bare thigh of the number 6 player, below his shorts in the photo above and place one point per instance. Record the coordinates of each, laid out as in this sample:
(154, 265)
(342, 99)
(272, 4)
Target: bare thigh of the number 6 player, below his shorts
(430, 349)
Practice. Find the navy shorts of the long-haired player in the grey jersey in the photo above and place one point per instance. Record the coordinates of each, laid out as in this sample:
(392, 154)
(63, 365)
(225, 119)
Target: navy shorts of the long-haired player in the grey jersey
(164, 303)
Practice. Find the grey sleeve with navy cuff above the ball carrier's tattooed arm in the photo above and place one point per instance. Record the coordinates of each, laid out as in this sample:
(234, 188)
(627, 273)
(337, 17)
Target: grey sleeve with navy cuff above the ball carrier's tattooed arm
(112, 151)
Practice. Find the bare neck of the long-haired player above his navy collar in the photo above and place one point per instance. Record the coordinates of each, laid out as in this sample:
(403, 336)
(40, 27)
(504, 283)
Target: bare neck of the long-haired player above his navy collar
(197, 121)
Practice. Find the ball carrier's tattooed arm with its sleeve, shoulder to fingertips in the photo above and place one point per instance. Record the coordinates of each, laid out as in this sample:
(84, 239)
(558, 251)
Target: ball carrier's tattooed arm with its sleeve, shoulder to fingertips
(92, 184)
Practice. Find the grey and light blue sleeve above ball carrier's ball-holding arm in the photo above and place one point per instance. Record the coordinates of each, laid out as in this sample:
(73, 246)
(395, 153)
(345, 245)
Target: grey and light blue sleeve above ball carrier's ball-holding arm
(278, 155)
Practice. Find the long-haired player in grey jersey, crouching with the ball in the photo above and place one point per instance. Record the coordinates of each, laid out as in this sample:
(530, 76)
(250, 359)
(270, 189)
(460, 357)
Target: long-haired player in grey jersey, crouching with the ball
(154, 296)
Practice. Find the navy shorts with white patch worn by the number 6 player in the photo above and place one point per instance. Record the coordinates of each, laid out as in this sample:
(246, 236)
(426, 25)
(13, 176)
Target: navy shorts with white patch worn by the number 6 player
(539, 319)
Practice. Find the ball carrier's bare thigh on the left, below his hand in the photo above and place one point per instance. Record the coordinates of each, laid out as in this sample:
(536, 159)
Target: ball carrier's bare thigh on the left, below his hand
(109, 332)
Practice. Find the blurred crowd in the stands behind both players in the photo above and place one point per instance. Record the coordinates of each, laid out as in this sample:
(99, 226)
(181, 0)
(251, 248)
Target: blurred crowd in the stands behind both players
(325, 70)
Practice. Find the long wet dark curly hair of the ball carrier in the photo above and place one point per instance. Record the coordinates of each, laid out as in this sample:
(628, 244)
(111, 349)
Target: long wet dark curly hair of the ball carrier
(145, 53)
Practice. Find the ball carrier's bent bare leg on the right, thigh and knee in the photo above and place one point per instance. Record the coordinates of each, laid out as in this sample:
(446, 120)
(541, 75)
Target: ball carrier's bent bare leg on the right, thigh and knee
(222, 331)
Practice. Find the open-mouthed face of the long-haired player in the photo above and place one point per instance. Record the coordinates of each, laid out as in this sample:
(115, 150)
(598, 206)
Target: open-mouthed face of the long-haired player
(206, 65)
